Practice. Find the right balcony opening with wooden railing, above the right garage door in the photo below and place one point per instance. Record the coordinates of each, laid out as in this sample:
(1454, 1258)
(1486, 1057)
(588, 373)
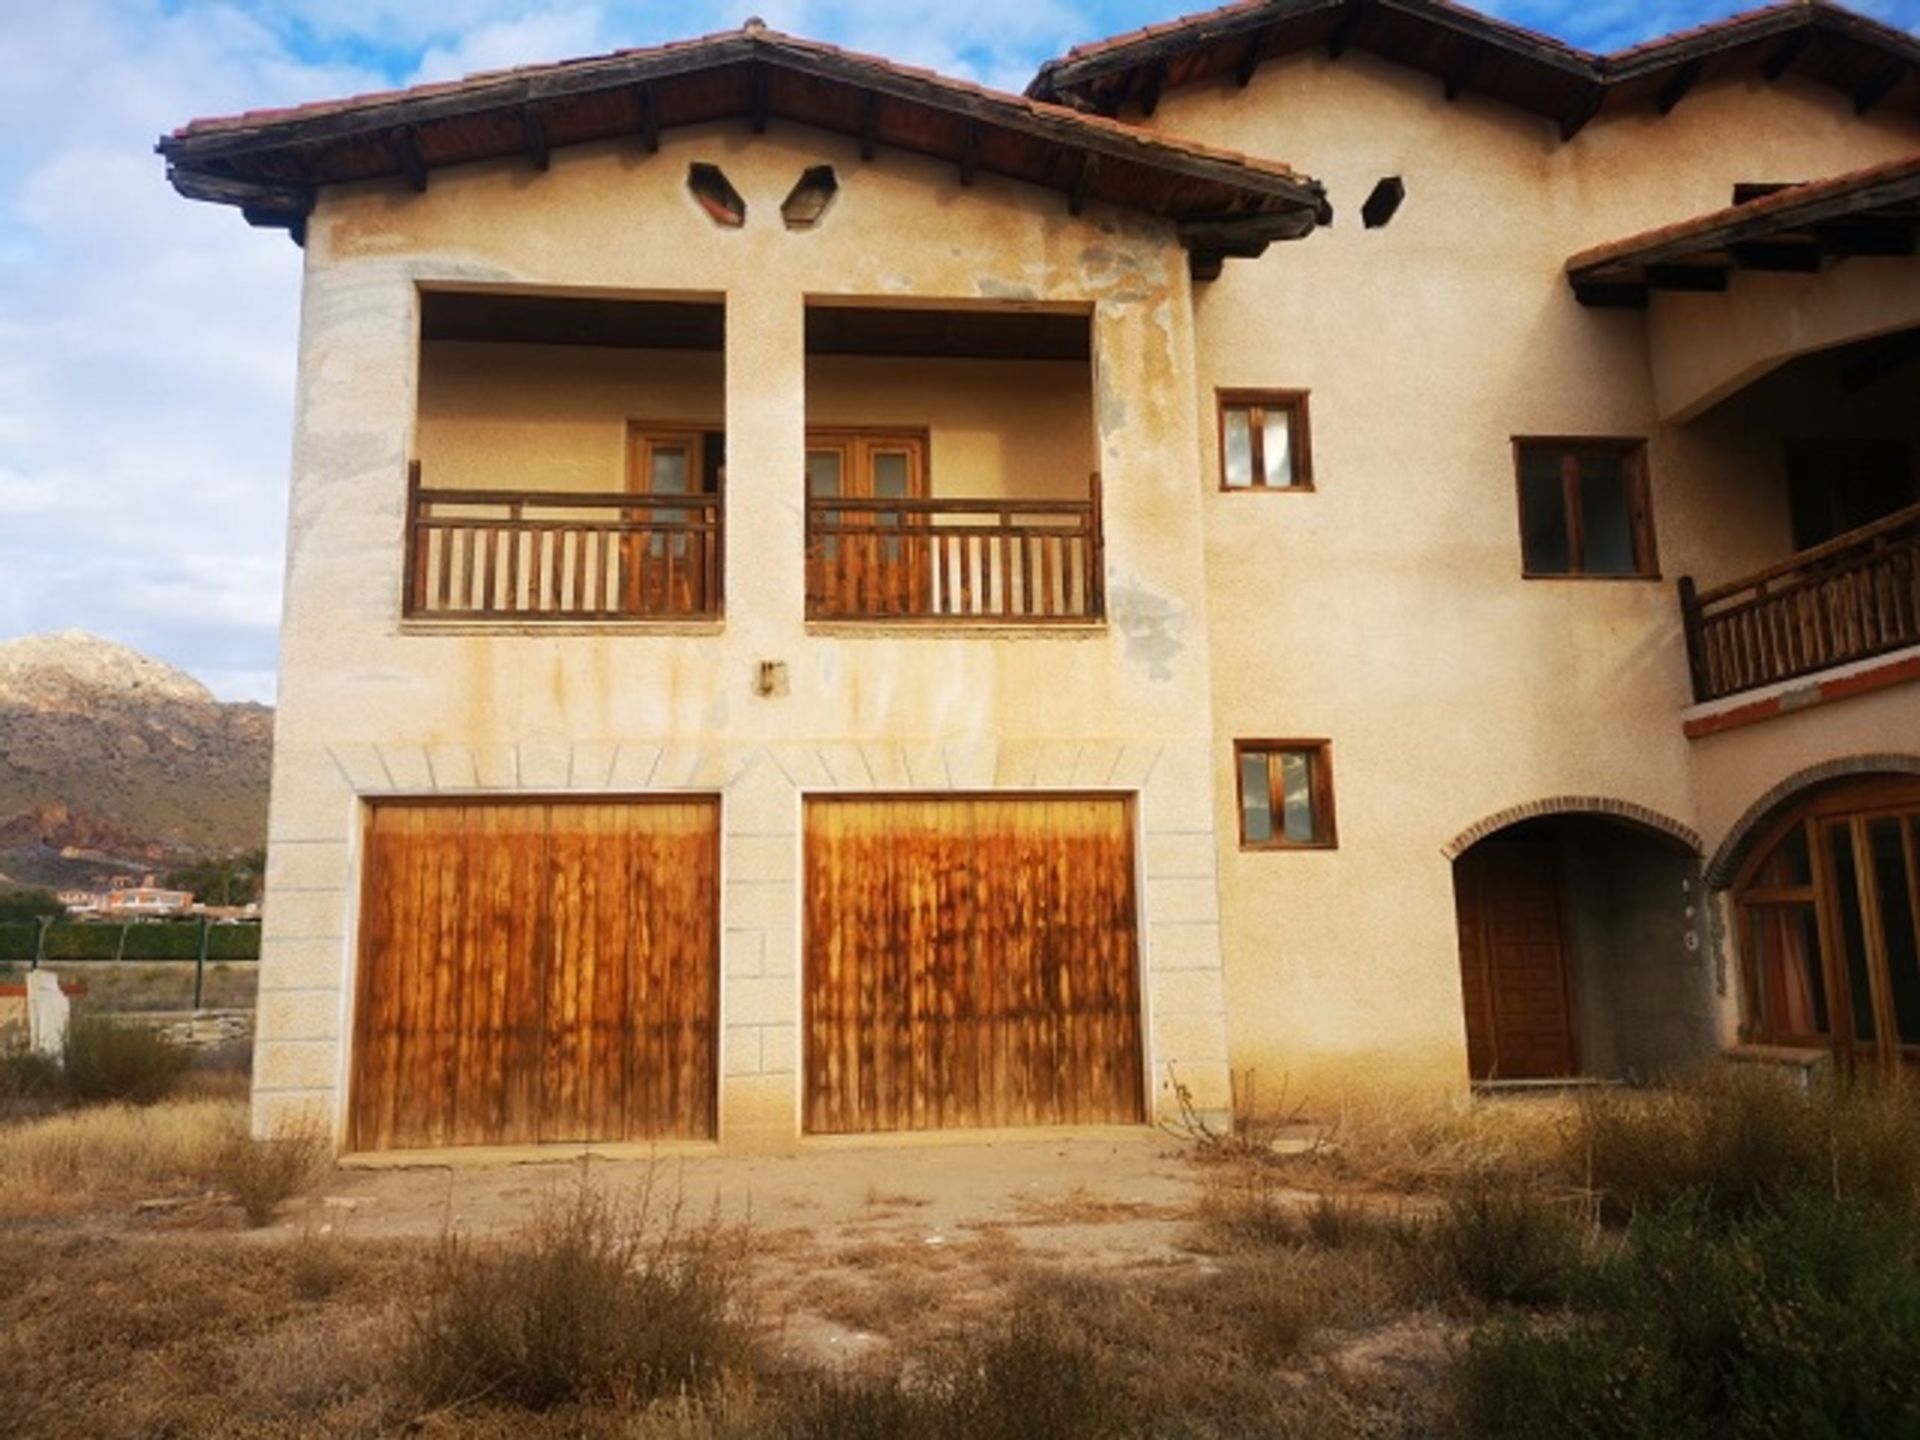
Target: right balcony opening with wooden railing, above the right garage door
(949, 466)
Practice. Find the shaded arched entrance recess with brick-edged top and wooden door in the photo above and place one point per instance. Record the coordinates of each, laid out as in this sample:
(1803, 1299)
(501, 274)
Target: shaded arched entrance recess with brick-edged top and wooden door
(1581, 953)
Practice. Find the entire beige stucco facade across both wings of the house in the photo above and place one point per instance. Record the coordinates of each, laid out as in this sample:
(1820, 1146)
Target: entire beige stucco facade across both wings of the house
(1385, 612)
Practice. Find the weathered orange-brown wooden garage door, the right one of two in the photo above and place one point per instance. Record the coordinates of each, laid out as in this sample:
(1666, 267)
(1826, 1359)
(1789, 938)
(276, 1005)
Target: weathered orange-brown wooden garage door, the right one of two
(971, 963)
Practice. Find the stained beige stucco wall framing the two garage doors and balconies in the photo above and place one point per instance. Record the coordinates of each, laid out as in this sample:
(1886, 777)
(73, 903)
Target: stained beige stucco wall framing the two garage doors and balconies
(372, 708)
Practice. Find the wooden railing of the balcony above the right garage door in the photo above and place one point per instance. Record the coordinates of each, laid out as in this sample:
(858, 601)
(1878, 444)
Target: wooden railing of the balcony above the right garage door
(999, 562)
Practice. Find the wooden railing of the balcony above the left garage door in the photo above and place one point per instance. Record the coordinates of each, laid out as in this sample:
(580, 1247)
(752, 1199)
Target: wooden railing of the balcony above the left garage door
(562, 556)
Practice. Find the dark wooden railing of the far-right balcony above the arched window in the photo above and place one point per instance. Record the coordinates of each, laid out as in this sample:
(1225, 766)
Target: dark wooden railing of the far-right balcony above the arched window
(1848, 600)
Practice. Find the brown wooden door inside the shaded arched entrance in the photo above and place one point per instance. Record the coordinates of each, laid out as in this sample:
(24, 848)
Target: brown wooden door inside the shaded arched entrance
(1514, 963)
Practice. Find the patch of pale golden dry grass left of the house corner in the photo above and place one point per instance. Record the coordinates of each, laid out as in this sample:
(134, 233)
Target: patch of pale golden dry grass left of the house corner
(110, 1155)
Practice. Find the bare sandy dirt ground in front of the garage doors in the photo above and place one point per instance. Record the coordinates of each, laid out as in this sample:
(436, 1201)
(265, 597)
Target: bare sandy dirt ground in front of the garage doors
(853, 1245)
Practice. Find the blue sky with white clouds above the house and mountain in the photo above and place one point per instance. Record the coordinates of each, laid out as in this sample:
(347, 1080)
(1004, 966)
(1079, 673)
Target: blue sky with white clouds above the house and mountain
(147, 345)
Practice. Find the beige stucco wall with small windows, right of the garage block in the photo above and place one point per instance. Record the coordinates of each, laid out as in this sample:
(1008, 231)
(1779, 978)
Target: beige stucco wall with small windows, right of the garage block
(1387, 610)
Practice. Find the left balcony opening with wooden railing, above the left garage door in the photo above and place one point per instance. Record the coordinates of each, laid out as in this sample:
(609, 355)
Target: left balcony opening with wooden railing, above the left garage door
(569, 460)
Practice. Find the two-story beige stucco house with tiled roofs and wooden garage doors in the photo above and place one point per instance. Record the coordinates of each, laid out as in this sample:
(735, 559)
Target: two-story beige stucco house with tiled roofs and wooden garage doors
(1335, 540)
